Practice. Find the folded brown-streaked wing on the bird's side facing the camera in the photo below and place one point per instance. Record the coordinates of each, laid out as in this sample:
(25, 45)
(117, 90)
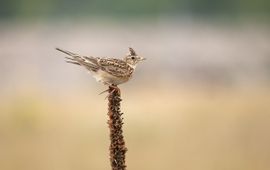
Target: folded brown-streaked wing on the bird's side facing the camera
(115, 67)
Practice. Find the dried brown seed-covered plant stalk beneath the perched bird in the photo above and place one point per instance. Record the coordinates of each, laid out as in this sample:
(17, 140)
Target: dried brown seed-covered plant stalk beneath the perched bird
(117, 146)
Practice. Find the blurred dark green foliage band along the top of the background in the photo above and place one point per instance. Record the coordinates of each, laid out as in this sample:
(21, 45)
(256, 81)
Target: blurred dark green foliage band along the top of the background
(126, 8)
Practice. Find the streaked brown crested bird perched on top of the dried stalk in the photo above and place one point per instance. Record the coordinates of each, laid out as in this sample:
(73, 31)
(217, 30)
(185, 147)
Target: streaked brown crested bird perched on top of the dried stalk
(109, 71)
